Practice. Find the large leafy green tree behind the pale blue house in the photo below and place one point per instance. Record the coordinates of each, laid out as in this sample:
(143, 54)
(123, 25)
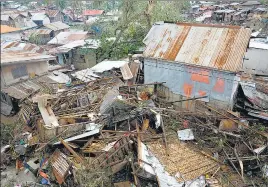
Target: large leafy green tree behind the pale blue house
(135, 20)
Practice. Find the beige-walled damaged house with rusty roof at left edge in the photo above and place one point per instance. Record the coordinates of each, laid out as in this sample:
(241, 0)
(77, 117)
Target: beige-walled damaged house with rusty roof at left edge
(20, 62)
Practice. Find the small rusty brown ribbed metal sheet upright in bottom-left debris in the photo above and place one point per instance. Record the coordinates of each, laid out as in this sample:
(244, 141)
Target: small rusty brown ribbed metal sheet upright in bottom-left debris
(60, 166)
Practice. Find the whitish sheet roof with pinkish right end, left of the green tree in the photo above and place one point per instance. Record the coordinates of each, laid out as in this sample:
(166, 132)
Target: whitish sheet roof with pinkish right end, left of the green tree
(67, 37)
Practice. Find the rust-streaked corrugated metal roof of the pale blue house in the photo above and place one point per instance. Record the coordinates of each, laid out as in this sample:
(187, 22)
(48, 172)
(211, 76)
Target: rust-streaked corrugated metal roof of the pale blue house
(212, 46)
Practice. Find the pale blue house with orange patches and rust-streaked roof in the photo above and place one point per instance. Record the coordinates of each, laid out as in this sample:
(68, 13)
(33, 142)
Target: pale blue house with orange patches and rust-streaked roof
(196, 60)
